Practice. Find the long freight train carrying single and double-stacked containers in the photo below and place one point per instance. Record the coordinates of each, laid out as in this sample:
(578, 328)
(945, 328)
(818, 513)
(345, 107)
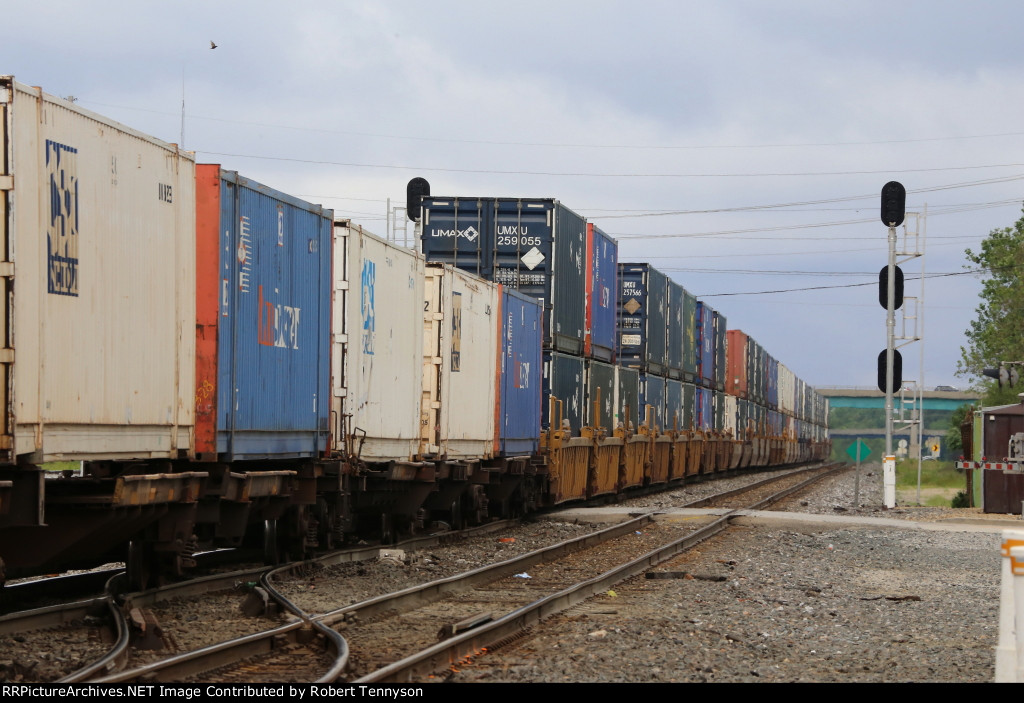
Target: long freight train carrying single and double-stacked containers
(233, 366)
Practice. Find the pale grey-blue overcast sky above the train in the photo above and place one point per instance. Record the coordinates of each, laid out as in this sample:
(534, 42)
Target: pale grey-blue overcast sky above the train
(739, 147)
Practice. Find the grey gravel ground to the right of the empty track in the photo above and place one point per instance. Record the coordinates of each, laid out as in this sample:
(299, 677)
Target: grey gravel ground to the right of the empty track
(773, 601)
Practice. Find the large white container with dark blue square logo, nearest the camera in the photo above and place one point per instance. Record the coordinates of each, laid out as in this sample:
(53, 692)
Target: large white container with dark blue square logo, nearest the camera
(98, 270)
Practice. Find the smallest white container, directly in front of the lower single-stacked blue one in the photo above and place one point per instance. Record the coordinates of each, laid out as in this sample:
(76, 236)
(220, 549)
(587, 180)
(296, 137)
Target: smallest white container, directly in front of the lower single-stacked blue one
(460, 364)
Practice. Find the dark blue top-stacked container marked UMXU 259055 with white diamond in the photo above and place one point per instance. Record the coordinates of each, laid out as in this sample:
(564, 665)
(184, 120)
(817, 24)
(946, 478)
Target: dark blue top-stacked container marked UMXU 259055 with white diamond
(536, 246)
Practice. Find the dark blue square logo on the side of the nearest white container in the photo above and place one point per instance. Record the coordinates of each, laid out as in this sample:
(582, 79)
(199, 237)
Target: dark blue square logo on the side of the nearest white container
(62, 231)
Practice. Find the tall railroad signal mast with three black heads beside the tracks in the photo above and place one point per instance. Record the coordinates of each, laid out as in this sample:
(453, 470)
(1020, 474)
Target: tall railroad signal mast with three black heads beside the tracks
(890, 363)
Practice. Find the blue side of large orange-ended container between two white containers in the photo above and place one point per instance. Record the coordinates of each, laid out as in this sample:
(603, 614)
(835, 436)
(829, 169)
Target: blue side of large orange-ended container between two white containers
(274, 342)
